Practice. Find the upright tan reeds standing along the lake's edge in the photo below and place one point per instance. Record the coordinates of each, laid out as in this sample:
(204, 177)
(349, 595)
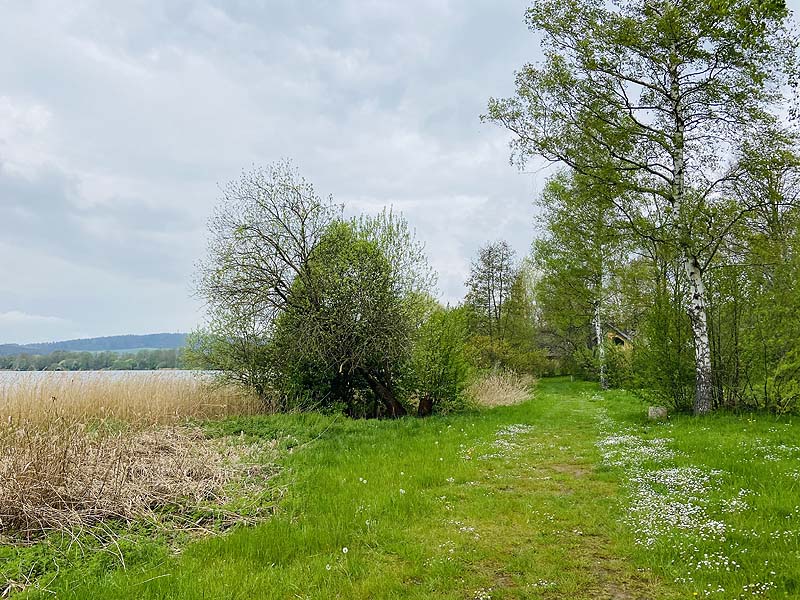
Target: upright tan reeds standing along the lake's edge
(141, 398)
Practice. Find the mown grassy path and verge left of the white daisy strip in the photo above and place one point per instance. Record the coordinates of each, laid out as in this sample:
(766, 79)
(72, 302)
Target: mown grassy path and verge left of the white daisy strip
(502, 504)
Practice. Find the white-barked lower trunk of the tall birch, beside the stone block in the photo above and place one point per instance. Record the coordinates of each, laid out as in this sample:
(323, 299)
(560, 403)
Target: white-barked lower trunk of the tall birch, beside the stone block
(704, 392)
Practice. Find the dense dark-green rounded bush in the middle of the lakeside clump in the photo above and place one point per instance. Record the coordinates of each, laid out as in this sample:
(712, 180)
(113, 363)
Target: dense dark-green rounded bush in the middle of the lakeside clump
(346, 331)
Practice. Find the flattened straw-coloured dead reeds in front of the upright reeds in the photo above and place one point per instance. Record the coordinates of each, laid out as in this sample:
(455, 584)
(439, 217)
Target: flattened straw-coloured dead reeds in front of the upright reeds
(69, 476)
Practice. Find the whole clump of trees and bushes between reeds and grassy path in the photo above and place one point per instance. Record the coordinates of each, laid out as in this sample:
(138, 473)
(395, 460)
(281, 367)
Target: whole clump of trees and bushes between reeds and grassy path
(312, 309)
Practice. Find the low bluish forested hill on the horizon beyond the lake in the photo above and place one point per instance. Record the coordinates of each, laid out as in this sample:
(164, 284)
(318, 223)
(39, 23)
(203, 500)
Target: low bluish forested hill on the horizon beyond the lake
(114, 343)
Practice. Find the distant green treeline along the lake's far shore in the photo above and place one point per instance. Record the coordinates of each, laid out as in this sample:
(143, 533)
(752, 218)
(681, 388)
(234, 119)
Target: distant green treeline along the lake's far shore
(59, 360)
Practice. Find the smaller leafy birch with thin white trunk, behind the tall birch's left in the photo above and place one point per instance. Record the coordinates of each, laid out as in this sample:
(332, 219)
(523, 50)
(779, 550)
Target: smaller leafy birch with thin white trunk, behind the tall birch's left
(580, 258)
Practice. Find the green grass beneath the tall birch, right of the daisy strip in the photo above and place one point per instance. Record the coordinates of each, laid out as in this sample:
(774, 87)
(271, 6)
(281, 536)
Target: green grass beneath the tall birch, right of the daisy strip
(753, 462)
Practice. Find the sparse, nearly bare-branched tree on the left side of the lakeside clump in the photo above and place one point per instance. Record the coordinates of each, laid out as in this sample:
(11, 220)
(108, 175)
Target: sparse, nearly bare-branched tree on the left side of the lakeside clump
(262, 234)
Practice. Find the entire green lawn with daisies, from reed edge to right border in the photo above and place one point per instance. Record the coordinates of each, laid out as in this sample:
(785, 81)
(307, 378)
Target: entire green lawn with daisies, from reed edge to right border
(445, 508)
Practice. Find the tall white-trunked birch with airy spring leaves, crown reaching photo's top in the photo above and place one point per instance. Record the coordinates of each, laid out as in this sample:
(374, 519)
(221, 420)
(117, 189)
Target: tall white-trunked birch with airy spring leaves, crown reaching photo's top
(654, 98)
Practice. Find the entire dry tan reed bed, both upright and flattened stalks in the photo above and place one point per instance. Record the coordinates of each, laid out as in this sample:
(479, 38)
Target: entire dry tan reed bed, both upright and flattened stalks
(77, 451)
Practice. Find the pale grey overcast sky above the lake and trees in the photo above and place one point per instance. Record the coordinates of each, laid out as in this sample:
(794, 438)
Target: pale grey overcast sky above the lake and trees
(120, 120)
